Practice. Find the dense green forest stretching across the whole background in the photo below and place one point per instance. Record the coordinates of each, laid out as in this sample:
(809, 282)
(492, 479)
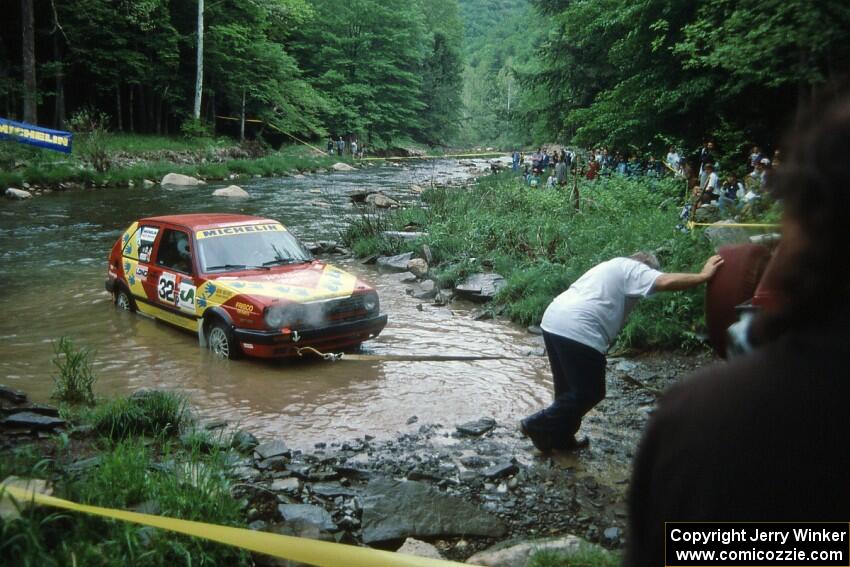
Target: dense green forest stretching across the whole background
(628, 73)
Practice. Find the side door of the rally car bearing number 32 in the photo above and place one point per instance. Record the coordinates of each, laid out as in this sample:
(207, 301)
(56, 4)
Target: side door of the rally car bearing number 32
(171, 277)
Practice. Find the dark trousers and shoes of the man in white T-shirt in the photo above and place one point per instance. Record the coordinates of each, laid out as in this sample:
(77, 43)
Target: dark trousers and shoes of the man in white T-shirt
(578, 373)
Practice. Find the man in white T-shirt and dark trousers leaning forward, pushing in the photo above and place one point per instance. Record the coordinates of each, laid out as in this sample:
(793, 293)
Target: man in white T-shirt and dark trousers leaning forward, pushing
(579, 327)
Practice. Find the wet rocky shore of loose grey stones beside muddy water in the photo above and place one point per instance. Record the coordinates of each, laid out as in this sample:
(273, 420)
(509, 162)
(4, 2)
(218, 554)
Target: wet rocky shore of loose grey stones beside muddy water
(461, 486)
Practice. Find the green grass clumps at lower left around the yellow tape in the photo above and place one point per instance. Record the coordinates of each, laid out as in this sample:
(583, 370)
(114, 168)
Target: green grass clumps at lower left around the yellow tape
(155, 474)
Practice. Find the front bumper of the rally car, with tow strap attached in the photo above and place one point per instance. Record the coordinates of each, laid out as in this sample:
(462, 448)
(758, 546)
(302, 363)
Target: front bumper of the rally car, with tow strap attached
(274, 344)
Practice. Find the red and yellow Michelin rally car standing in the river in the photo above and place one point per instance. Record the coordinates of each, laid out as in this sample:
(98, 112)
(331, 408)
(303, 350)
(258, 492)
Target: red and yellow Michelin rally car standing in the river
(244, 284)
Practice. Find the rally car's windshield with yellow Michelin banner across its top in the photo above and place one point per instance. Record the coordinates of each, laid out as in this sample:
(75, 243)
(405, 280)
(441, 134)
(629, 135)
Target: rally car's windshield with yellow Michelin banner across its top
(225, 250)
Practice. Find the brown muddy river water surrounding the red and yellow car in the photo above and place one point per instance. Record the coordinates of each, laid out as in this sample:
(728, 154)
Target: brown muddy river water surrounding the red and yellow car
(52, 266)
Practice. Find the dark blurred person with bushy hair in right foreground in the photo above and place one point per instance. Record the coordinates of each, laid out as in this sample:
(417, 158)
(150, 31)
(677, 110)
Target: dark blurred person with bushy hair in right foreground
(765, 437)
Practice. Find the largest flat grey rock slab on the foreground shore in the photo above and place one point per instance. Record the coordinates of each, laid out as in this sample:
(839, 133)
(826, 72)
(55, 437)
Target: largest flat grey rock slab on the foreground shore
(394, 510)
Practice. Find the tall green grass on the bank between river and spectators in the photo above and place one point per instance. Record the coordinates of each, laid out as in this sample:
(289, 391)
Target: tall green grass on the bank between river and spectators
(540, 244)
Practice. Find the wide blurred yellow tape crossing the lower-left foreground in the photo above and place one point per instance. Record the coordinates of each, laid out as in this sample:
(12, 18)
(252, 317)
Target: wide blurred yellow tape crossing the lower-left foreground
(320, 553)
